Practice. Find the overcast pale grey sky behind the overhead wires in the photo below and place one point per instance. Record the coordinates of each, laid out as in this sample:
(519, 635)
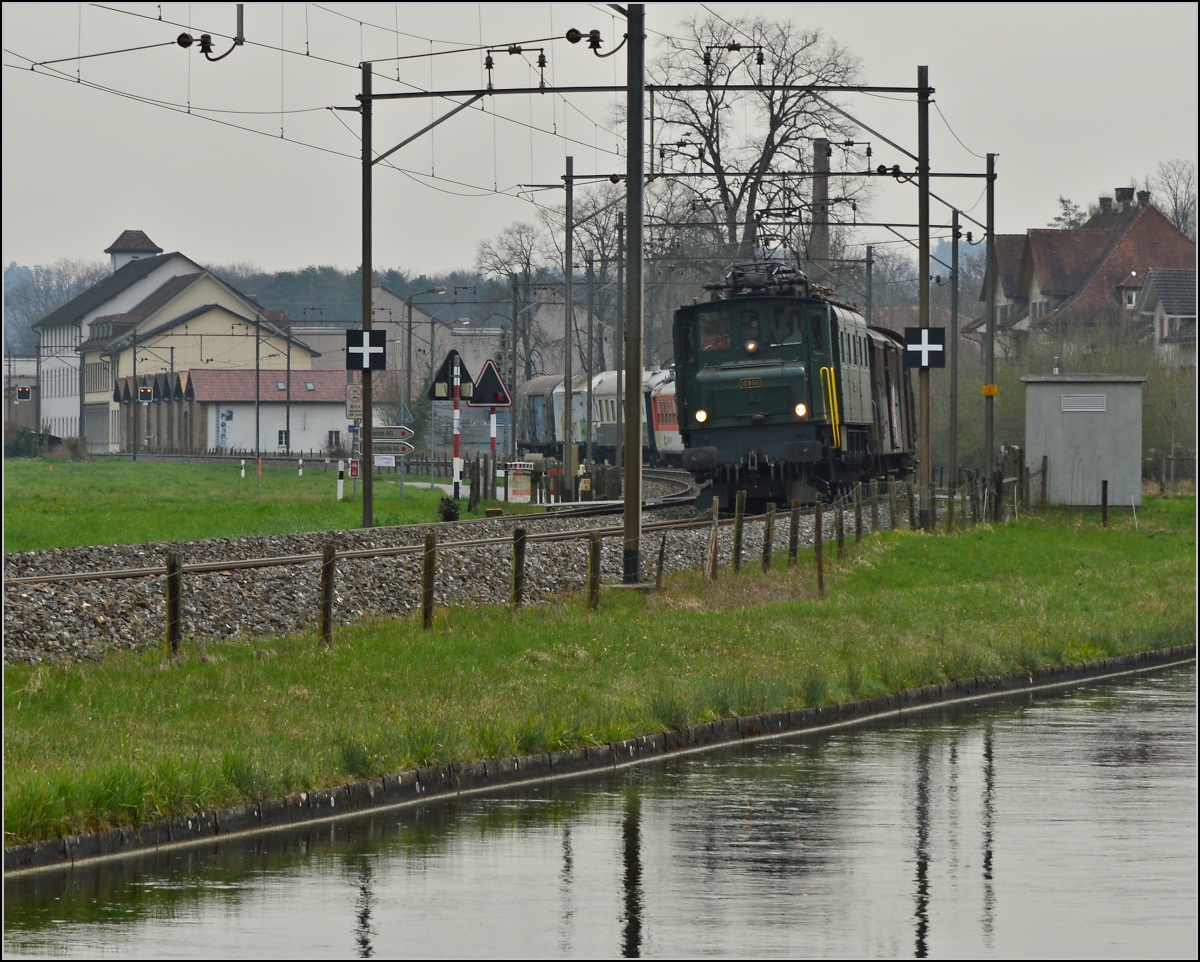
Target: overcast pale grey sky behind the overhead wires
(1076, 99)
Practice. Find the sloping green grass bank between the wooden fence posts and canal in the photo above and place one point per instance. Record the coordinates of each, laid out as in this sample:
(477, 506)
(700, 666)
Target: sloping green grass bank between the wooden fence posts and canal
(141, 737)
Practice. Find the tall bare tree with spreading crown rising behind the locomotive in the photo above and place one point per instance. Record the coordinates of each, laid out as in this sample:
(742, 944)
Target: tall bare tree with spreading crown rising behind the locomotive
(748, 143)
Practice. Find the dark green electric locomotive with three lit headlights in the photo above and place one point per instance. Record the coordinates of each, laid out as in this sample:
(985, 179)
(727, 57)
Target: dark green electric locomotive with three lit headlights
(787, 394)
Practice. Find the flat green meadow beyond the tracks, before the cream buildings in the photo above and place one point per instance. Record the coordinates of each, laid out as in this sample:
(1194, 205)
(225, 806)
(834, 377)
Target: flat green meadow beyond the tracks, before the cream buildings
(59, 504)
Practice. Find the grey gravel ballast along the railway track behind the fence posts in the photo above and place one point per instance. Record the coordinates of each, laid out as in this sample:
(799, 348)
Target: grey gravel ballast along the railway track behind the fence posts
(52, 623)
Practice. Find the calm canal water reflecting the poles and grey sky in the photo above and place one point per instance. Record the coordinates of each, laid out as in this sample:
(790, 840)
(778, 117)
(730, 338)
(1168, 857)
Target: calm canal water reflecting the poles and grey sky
(1052, 827)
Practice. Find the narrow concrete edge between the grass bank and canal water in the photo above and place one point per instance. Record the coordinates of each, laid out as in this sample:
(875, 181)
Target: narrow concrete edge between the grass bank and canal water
(471, 778)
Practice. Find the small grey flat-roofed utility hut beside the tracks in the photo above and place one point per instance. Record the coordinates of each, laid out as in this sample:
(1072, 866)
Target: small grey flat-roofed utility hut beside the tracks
(1089, 429)
